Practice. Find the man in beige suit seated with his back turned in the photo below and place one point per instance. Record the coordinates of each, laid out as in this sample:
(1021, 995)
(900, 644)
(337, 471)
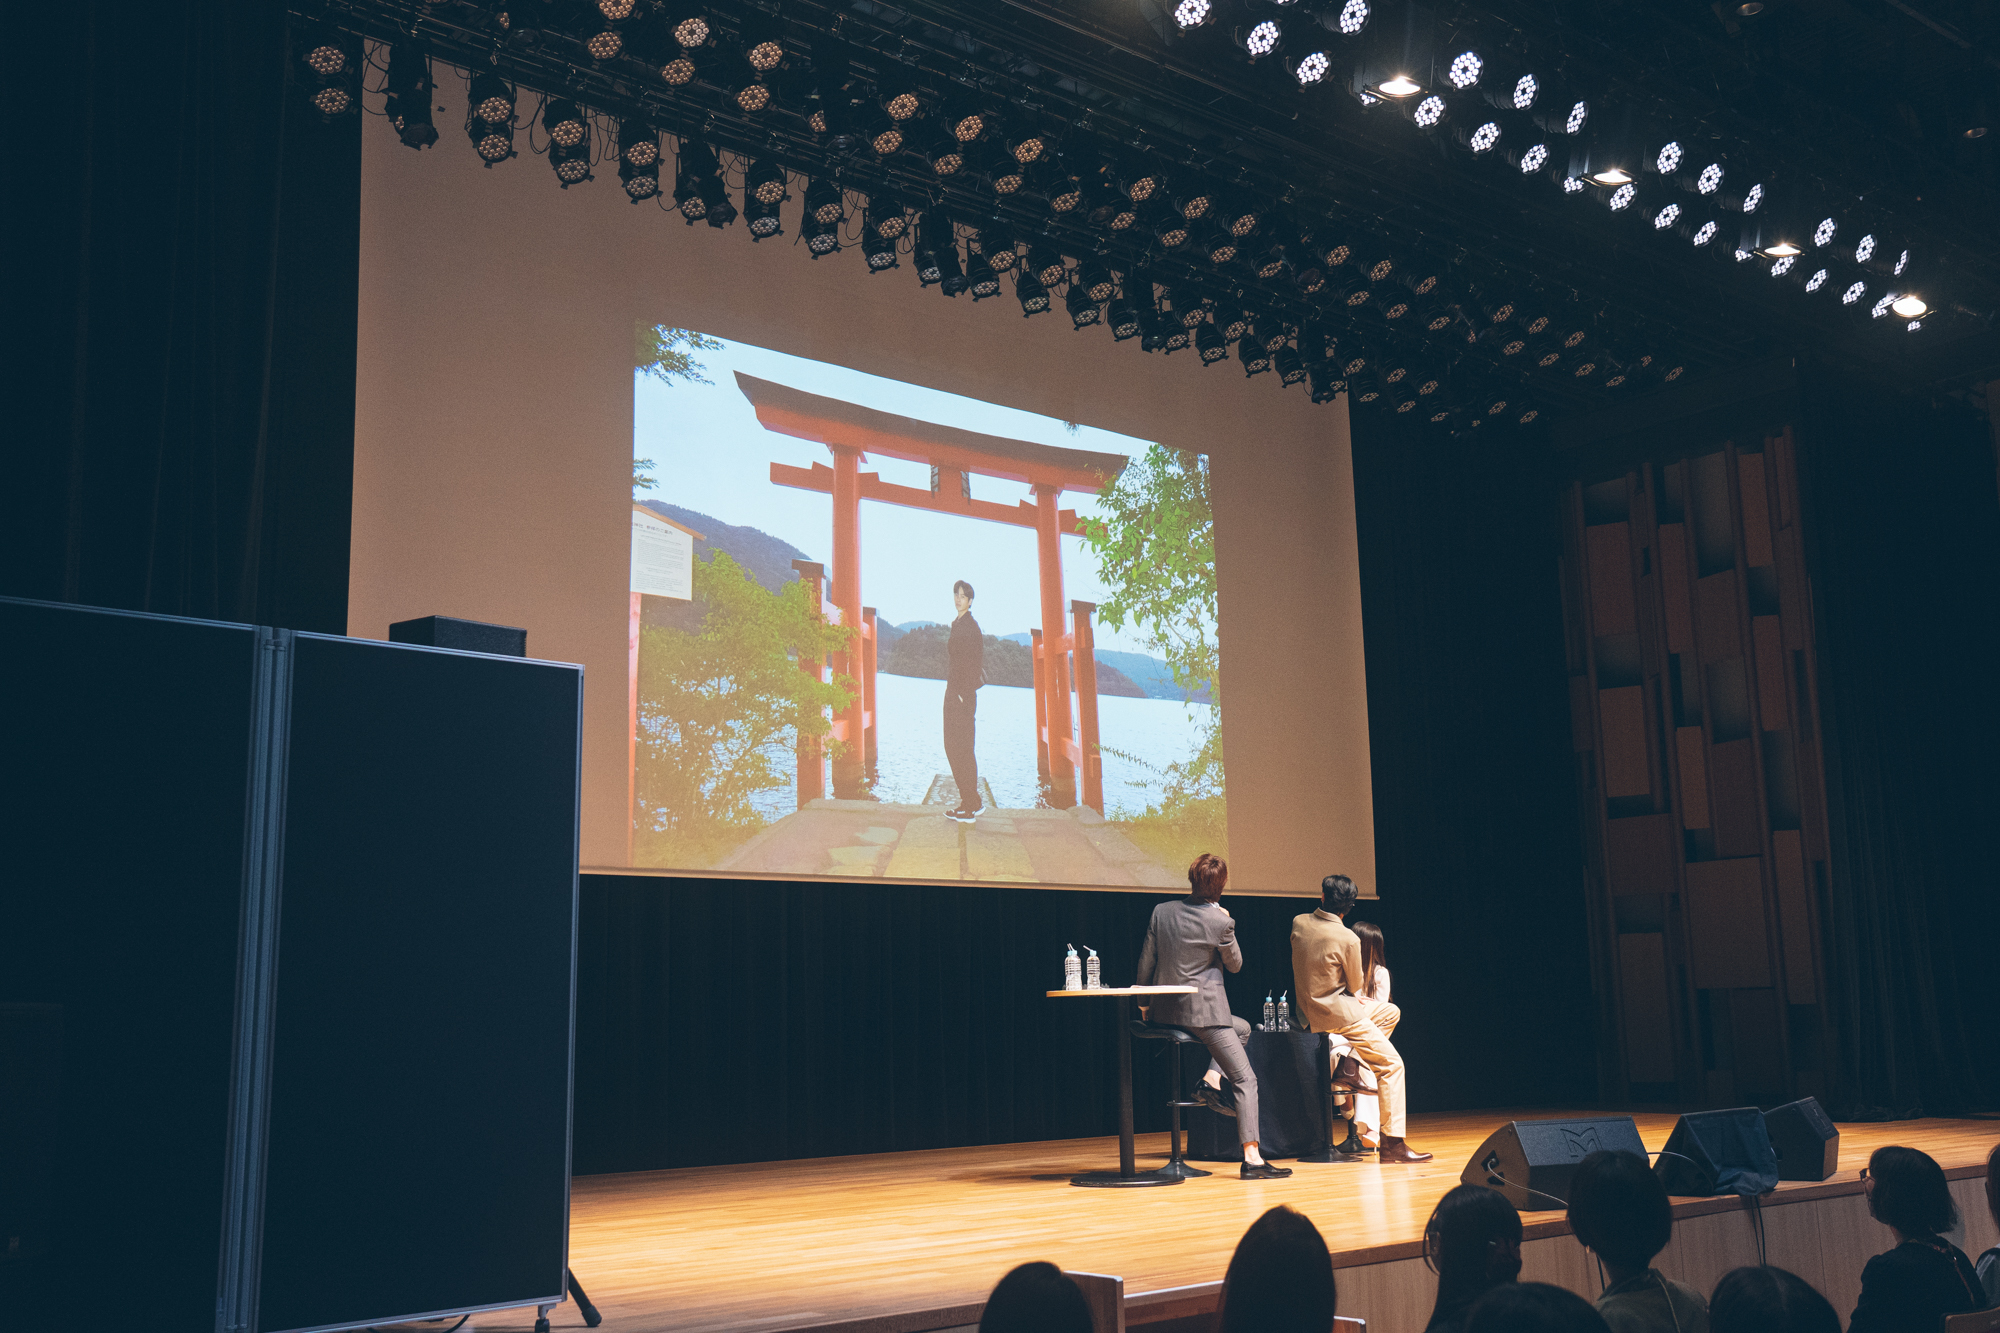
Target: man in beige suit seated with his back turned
(1327, 978)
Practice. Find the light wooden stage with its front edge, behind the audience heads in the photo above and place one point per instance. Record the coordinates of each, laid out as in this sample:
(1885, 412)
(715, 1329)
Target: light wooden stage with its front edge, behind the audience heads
(909, 1242)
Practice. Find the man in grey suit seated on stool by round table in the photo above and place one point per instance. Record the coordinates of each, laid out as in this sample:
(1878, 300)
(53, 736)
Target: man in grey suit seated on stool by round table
(1189, 942)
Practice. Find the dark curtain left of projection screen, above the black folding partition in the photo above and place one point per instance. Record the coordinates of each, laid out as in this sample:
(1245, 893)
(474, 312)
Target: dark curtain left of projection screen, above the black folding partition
(183, 269)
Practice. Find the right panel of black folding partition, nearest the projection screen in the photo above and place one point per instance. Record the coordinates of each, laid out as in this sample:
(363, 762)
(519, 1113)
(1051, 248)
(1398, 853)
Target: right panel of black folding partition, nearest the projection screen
(421, 1072)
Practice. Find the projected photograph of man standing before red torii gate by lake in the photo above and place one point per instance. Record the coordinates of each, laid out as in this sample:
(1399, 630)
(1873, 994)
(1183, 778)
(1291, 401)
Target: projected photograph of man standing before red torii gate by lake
(887, 631)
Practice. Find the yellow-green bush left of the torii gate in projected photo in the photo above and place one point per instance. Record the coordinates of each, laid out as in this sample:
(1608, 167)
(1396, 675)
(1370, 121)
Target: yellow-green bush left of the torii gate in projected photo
(721, 714)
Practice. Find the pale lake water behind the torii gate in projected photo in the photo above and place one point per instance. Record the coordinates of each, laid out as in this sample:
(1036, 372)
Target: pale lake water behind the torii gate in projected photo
(911, 748)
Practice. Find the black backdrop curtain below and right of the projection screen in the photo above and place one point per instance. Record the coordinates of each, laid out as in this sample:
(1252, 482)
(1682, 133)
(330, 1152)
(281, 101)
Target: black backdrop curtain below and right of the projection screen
(747, 1022)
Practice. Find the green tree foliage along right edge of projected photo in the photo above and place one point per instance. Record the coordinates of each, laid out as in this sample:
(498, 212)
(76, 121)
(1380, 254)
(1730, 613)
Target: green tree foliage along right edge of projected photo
(1157, 549)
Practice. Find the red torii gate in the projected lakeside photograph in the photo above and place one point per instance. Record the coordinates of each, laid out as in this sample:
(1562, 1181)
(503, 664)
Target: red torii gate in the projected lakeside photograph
(851, 433)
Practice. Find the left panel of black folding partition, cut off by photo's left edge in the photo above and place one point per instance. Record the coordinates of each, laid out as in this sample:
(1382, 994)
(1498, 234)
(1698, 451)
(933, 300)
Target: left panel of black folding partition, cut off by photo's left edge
(125, 742)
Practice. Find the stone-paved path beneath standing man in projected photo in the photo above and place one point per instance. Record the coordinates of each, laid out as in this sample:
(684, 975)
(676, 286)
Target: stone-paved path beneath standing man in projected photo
(917, 842)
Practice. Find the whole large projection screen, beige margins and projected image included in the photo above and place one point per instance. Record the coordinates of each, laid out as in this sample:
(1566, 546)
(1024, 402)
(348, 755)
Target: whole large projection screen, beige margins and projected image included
(741, 487)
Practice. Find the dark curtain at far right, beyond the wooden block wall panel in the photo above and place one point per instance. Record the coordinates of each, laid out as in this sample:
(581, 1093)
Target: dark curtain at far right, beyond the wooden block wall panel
(1903, 529)
